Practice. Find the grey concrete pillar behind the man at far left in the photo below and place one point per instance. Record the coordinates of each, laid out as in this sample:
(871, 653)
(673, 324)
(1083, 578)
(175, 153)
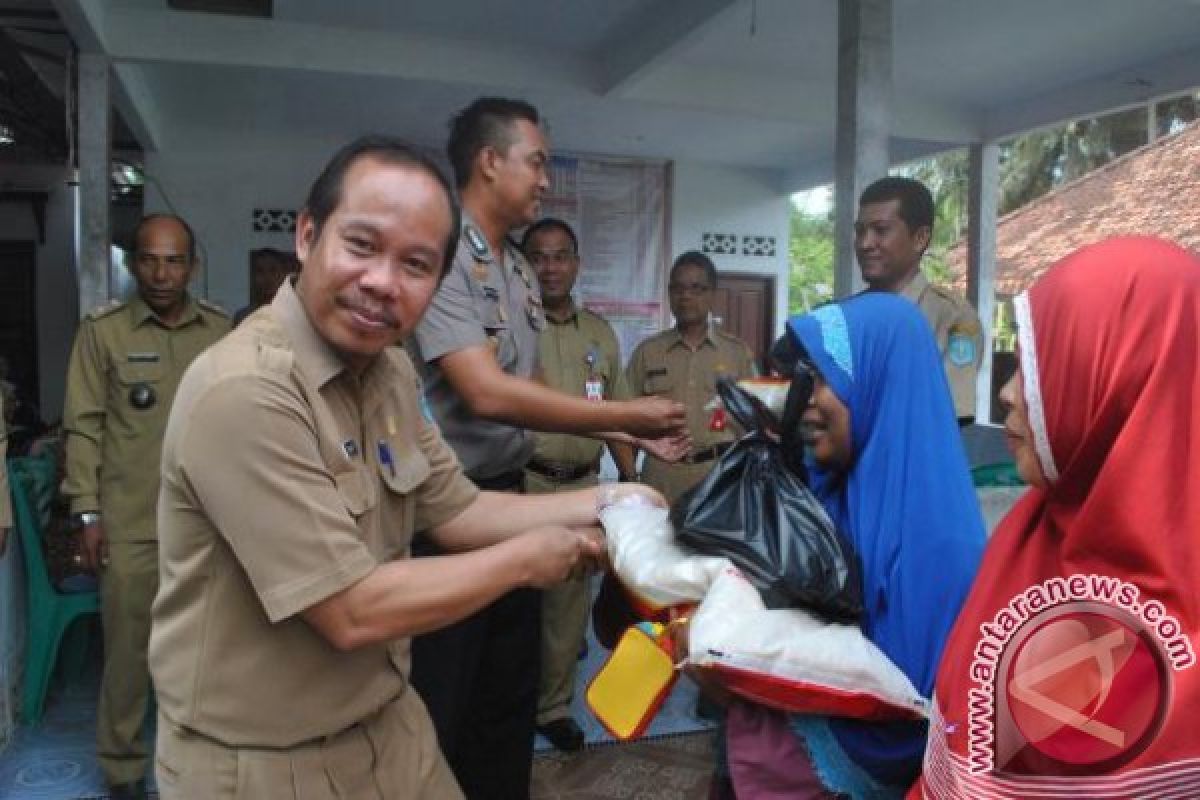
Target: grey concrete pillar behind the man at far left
(95, 152)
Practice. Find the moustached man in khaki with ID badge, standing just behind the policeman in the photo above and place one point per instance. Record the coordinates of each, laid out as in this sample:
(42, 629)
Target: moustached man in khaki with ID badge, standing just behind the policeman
(578, 353)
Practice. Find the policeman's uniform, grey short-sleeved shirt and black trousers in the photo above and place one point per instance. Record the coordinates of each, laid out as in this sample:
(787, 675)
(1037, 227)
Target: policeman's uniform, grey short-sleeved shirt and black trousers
(479, 677)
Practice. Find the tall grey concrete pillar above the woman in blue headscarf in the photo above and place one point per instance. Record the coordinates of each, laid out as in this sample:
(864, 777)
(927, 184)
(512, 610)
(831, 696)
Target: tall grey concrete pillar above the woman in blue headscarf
(865, 122)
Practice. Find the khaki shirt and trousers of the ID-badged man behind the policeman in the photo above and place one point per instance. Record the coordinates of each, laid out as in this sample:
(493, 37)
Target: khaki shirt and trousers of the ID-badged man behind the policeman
(578, 356)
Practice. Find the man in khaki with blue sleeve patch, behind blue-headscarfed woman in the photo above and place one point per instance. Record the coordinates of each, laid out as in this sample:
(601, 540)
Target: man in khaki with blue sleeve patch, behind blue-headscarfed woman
(896, 221)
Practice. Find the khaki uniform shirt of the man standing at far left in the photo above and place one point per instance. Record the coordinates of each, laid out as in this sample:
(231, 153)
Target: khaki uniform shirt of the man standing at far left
(124, 371)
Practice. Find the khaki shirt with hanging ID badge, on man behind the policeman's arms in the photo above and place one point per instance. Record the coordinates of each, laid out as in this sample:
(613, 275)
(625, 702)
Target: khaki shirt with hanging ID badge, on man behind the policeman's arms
(571, 354)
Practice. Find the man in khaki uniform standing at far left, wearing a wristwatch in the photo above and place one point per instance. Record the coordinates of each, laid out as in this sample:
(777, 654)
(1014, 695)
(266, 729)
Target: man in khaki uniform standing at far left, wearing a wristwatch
(125, 368)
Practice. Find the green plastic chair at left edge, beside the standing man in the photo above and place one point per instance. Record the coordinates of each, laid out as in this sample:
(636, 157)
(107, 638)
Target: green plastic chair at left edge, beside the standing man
(50, 613)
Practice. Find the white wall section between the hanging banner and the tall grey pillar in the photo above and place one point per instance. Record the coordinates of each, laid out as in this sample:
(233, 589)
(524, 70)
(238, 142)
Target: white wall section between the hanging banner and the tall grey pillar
(709, 199)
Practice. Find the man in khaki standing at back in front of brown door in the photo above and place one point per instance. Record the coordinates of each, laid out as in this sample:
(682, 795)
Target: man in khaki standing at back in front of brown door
(685, 365)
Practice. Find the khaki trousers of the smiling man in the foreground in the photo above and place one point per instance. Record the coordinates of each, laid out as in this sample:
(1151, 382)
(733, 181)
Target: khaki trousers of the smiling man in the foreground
(391, 756)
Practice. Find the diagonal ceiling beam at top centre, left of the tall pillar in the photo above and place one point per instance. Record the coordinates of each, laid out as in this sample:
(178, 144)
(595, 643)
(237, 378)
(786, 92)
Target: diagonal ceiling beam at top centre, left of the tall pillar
(646, 41)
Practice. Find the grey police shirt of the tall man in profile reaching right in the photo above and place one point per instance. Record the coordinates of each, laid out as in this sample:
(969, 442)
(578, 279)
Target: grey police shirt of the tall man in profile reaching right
(483, 300)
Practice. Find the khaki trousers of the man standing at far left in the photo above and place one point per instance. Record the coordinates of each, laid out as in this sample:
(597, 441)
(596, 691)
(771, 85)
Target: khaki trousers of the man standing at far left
(128, 586)
